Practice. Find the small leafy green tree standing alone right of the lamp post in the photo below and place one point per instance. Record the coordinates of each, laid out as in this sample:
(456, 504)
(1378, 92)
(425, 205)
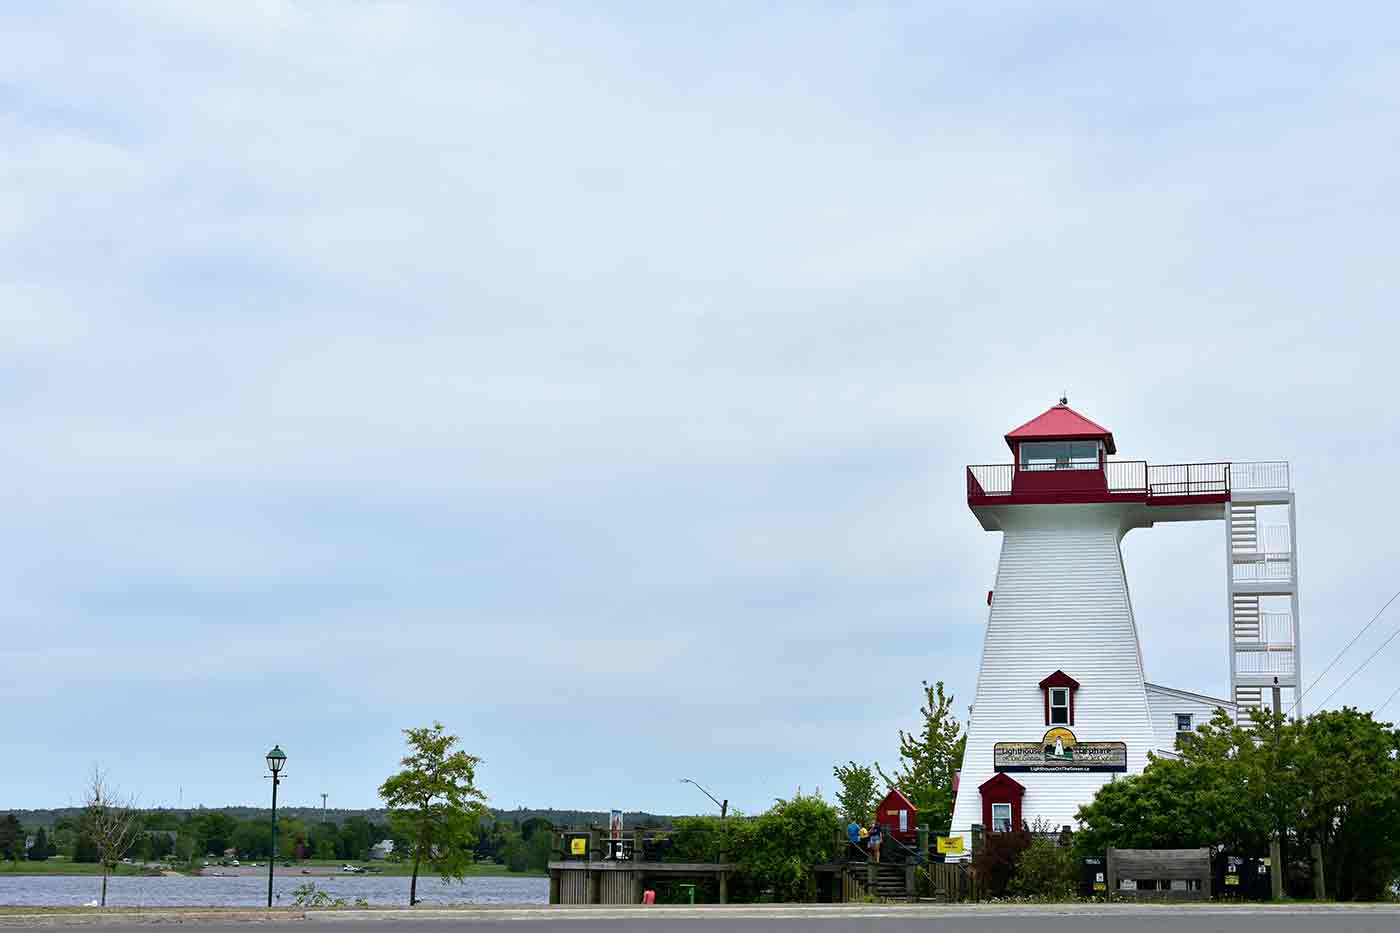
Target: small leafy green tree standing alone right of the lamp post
(436, 801)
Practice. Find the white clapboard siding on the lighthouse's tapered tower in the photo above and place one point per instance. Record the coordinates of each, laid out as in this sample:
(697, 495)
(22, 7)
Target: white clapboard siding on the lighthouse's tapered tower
(1060, 603)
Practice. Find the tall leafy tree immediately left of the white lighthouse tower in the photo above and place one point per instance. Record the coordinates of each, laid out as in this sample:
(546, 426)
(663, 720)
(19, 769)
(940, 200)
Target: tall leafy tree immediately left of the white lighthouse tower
(929, 760)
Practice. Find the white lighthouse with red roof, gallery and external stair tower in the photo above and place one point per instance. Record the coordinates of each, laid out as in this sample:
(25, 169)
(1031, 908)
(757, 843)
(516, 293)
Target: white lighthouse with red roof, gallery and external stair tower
(1063, 704)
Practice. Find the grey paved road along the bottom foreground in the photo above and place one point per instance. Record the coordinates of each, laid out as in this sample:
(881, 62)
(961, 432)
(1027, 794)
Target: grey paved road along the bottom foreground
(855, 920)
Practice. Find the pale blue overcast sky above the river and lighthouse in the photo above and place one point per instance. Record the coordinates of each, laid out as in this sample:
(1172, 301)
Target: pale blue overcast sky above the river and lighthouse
(601, 383)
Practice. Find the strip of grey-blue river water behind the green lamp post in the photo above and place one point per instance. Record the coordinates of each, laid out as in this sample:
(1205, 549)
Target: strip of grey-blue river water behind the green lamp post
(55, 890)
